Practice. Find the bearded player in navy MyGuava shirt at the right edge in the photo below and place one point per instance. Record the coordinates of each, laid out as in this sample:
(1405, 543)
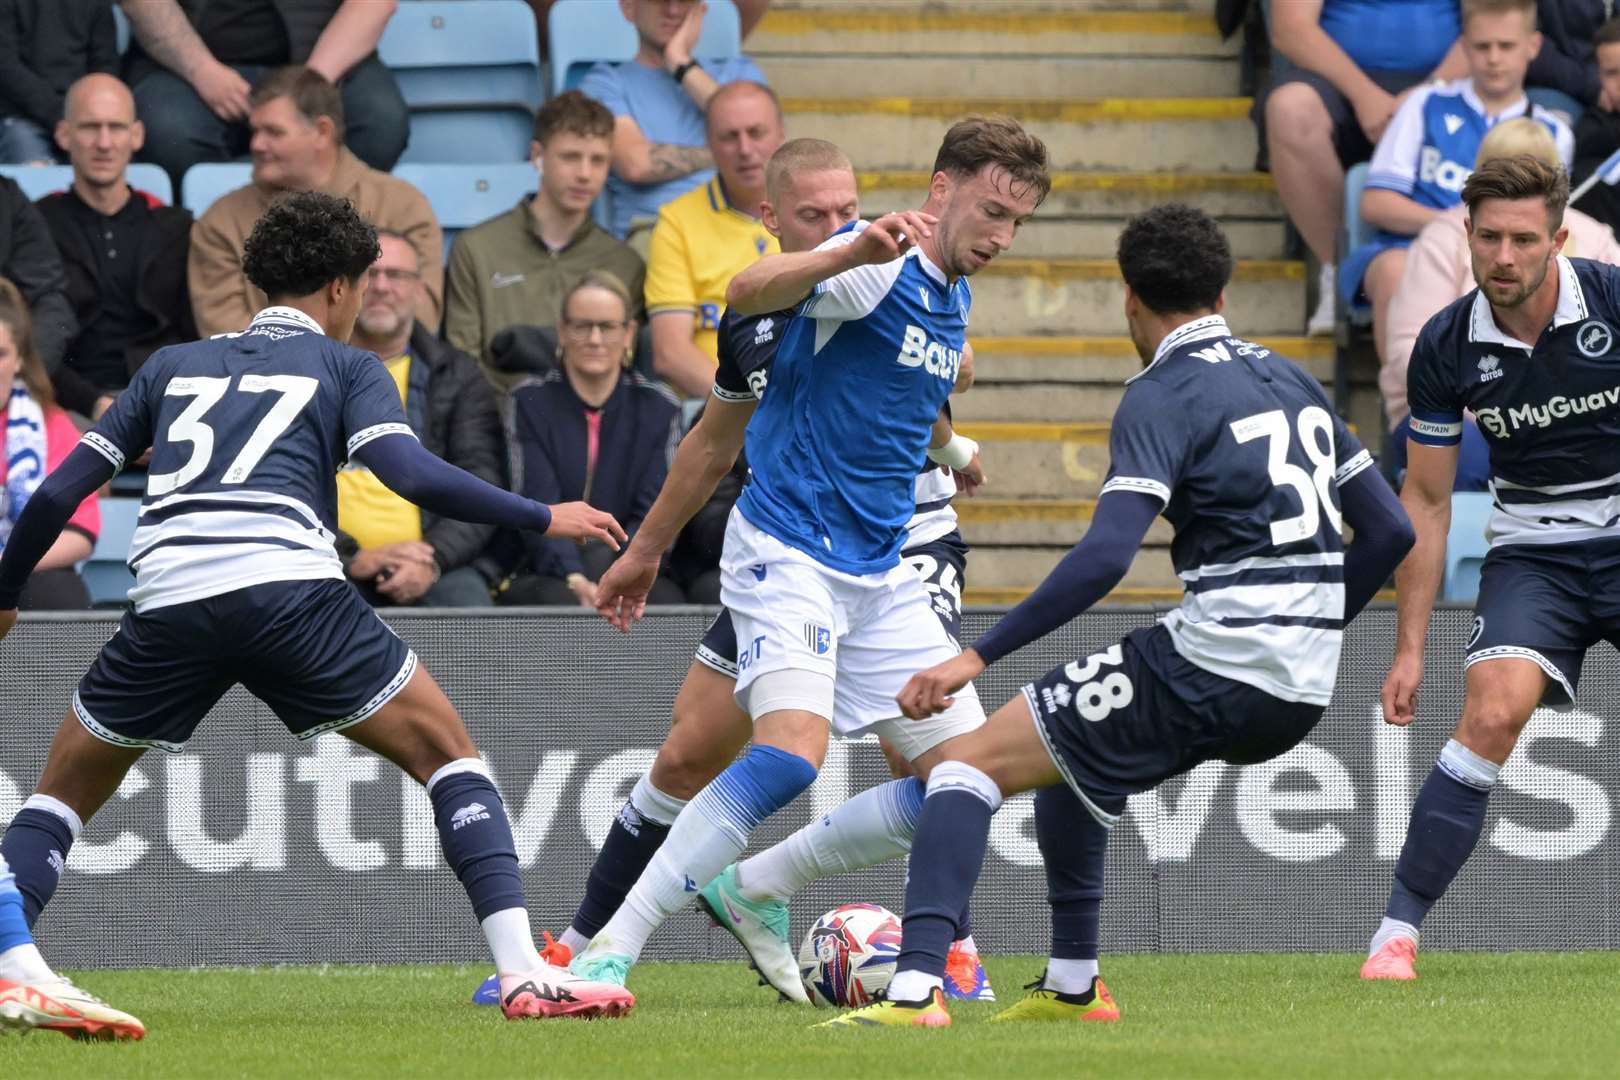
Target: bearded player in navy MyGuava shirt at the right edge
(1533, 354)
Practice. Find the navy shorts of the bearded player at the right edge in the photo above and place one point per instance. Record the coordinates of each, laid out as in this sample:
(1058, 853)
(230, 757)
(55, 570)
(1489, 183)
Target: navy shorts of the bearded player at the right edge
(1548, 603)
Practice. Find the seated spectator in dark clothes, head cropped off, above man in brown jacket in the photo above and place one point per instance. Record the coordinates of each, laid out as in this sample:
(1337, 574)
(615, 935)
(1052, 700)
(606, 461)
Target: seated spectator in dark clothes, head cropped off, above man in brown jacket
(194, 67)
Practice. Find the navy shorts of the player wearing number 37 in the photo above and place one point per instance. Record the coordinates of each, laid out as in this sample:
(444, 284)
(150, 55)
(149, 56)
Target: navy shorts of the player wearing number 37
(313, 652)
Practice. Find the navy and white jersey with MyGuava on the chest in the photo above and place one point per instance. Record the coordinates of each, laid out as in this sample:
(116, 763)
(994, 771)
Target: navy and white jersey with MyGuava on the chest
(1550, 410)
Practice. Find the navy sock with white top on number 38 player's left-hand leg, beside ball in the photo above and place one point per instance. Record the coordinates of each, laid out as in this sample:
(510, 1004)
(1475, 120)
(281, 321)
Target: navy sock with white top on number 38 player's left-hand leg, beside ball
(947, 857)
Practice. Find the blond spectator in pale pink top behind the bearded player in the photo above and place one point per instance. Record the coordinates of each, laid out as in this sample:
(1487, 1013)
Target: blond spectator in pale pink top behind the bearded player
(1439, 271)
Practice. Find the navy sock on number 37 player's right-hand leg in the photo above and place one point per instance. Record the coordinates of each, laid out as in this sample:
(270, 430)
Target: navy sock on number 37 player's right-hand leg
(477, 836)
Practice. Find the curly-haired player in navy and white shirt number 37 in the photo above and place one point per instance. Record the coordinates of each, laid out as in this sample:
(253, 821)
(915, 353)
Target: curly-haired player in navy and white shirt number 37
(237, 580)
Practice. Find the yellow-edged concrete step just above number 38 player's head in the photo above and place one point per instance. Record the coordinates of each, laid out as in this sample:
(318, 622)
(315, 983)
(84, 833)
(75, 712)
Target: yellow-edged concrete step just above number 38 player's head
(1101, 195)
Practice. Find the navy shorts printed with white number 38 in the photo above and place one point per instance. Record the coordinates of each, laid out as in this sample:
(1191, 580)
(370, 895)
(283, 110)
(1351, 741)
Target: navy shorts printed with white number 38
(1130, 718)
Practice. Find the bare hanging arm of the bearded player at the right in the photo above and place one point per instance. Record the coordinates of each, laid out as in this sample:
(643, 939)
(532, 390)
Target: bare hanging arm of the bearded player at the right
(1428, 501)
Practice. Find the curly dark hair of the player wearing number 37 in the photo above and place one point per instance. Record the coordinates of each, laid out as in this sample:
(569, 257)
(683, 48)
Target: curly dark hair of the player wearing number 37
(307, 240)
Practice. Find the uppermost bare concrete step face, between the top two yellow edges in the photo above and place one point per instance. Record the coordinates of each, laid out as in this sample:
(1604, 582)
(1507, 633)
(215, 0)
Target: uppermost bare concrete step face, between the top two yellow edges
(1002, 77)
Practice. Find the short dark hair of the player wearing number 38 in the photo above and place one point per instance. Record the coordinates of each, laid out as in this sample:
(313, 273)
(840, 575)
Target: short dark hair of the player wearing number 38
(1175, 258)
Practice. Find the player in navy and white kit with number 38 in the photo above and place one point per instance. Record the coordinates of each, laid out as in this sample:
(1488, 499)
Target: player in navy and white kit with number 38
(1242, 453)
